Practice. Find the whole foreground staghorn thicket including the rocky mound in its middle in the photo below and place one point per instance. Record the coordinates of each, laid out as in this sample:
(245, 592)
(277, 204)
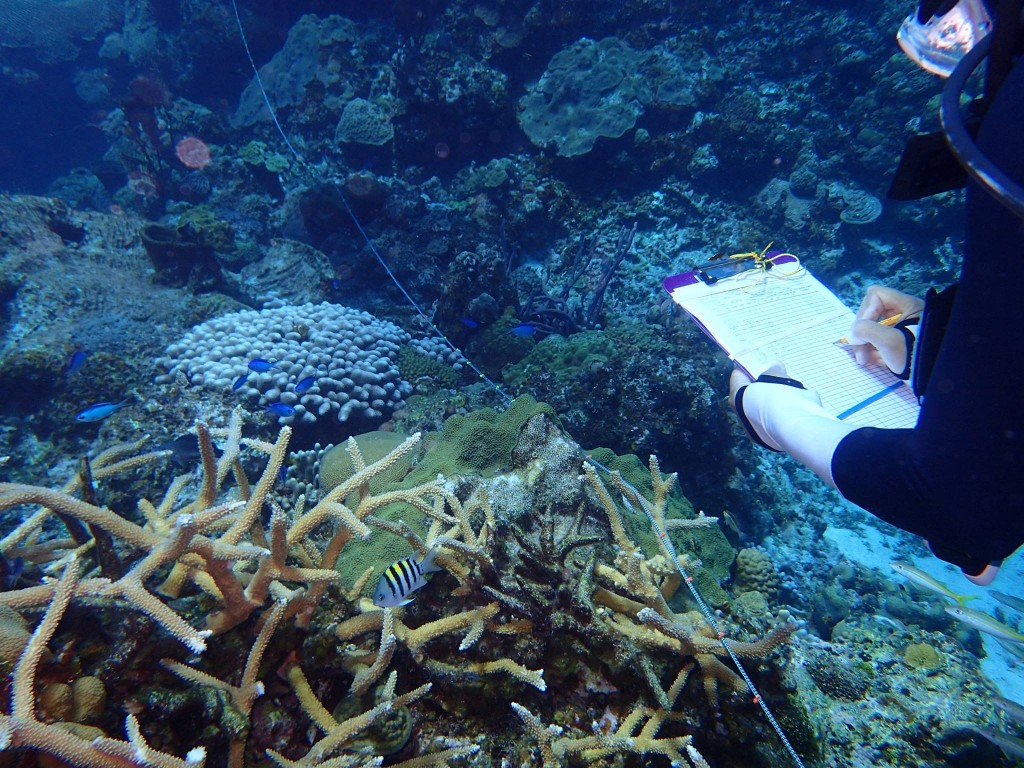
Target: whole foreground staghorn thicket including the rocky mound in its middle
(533, 594)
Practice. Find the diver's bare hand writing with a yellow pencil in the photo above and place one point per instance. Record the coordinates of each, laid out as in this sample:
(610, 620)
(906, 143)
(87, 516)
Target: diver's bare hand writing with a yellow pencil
(875, 343)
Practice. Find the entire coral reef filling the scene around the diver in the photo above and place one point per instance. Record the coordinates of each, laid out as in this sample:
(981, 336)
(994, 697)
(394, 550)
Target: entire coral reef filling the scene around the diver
(525, 172)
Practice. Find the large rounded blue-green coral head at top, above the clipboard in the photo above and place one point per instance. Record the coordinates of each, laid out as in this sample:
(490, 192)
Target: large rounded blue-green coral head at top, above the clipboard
(590, 90)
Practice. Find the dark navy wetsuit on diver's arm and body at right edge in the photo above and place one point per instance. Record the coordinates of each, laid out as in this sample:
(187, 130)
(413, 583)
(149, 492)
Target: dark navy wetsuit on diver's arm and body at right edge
(958, 479)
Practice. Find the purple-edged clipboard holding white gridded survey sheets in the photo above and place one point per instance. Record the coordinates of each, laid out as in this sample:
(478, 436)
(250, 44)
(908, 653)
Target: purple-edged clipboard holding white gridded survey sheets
(766, 309)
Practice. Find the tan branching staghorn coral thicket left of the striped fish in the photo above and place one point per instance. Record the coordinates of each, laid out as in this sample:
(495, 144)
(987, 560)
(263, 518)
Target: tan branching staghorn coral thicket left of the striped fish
(220, 545)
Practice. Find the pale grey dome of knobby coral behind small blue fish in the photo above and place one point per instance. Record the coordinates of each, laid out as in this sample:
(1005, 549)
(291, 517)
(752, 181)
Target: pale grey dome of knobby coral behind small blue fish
(352, 355)
